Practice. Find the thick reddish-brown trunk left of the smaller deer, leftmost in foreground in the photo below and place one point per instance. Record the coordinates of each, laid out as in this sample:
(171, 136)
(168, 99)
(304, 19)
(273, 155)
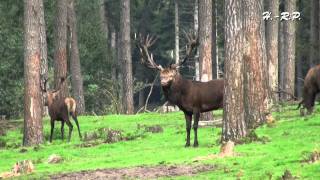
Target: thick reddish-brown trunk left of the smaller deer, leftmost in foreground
(33, 129)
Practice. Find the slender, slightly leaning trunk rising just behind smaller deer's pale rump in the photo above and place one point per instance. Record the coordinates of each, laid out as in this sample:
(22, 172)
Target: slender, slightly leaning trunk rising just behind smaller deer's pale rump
(75, 66)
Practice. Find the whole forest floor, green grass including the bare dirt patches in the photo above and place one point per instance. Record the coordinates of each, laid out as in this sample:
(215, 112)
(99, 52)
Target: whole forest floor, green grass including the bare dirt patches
(152, 146)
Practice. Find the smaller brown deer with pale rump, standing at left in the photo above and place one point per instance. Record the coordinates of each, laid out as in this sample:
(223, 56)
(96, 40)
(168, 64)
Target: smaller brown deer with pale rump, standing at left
(60, 108)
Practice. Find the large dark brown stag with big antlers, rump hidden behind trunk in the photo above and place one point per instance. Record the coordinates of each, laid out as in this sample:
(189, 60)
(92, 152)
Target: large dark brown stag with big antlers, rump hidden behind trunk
(192, 97)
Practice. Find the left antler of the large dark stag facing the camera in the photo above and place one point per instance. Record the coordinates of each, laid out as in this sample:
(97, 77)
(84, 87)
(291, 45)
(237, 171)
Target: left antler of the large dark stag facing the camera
(146, 58)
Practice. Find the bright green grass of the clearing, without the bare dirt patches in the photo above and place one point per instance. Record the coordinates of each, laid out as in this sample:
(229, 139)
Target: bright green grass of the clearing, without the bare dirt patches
(291, 138)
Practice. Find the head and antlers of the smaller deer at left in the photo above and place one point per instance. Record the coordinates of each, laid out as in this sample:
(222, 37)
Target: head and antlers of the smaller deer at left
(51, 95)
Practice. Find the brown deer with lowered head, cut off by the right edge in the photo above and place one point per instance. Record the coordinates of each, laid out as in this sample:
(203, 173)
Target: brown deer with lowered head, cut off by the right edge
(311, 88)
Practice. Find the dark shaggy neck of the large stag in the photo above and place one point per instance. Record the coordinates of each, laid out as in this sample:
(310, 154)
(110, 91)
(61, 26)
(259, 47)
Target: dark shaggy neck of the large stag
(173, 91)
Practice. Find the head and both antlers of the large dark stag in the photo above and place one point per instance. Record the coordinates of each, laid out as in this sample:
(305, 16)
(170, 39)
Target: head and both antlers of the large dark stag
(167, 74)
